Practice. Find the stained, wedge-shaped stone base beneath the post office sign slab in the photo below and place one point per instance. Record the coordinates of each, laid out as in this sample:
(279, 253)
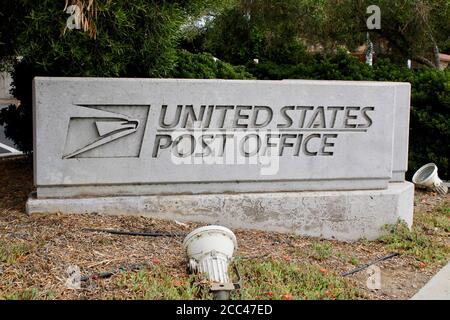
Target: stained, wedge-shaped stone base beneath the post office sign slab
(341, 215)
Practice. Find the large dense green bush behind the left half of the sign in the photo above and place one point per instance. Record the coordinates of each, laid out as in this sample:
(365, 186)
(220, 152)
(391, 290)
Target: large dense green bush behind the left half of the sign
(136, 38)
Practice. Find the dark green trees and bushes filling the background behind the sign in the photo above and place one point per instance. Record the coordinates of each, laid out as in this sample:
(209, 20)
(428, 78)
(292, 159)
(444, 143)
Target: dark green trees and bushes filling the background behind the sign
(292, 39)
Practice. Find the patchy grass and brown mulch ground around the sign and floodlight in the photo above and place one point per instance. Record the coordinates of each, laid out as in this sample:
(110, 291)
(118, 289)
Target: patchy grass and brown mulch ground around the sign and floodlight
(35, 252)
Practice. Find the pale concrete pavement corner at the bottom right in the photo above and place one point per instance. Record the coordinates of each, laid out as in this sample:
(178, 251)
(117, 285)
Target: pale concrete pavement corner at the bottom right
(438, 288)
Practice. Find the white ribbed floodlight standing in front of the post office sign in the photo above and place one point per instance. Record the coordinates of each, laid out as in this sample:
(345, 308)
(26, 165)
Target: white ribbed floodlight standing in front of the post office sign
(209, 250)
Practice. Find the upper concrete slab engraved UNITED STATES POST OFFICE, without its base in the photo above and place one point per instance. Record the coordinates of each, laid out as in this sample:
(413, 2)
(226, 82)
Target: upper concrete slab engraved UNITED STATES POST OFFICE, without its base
(139, 137)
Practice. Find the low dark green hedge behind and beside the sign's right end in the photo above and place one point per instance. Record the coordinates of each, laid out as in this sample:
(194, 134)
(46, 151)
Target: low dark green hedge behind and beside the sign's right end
(430, 99)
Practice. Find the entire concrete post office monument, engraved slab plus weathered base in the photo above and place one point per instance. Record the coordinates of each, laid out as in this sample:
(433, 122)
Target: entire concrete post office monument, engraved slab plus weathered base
(244, 154)
